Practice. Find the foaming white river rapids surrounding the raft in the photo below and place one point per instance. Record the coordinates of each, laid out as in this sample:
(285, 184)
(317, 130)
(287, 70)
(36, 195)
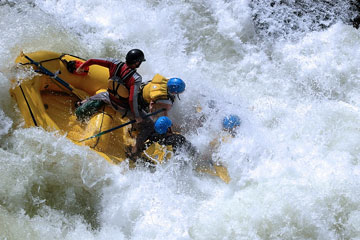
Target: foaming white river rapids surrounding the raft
(291, 71)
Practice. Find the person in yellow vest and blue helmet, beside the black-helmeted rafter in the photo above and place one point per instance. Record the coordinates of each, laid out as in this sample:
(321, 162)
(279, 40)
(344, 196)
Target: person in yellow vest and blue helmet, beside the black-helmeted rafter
(160, 93)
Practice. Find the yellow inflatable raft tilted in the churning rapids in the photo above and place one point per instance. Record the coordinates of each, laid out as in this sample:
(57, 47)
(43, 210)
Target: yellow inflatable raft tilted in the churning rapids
(47, 100)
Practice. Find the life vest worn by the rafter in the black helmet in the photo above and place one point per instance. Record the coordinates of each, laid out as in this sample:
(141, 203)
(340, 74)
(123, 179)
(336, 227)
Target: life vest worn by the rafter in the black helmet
(116, 84)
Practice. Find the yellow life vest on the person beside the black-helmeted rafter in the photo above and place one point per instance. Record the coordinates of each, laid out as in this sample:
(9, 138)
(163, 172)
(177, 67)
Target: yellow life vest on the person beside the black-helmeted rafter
(156, 89)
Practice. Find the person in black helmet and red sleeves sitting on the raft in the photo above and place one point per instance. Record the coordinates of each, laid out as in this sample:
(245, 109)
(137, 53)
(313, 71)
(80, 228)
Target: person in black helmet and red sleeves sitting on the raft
(122, 94)
